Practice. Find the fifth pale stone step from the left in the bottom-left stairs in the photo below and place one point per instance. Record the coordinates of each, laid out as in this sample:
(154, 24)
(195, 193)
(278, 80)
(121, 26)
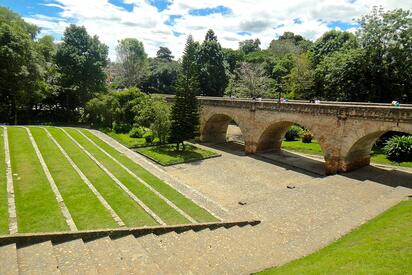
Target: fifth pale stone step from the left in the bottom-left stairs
(135, 256)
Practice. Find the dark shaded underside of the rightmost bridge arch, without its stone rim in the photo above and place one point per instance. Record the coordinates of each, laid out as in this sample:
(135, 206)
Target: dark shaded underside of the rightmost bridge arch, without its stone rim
(360, 152)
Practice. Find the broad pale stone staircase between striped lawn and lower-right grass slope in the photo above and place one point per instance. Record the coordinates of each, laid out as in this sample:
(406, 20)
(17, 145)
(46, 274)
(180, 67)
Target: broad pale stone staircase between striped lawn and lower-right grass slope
(222, 248)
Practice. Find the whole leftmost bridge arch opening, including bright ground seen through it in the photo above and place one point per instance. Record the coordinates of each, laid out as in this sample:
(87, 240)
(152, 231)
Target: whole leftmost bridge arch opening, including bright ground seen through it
(220, 128)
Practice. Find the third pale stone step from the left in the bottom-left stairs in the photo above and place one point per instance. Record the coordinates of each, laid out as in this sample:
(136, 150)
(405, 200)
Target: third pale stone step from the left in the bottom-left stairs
(73, 258)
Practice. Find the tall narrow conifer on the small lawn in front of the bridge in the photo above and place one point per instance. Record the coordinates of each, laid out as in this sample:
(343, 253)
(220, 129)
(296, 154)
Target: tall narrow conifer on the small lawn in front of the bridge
(185, 110)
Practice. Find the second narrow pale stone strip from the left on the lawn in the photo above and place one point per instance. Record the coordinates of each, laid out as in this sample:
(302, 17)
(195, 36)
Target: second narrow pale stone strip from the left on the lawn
(60, 201)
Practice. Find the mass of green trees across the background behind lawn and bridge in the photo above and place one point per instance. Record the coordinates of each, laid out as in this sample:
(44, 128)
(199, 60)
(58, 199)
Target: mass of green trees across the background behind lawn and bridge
(42, 81)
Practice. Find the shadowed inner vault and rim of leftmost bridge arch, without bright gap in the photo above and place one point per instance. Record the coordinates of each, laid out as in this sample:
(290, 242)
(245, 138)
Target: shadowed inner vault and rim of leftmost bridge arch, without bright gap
(214, 127)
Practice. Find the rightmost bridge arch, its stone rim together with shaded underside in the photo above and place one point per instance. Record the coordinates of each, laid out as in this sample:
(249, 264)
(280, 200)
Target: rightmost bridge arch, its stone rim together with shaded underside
(356, 149)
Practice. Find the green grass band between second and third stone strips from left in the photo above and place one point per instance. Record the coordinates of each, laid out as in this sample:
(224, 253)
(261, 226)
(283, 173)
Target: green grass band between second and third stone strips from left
(85, 208)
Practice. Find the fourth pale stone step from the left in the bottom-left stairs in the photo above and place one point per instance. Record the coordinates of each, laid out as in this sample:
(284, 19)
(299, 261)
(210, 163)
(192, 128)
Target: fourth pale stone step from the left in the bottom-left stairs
(107, 258)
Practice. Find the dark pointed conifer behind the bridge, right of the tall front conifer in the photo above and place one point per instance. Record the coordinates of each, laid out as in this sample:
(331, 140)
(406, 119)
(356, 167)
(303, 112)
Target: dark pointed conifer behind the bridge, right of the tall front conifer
(213, 76)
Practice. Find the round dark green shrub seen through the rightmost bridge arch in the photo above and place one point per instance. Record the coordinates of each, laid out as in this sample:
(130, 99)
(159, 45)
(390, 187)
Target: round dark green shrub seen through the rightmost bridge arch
(399, 148)
